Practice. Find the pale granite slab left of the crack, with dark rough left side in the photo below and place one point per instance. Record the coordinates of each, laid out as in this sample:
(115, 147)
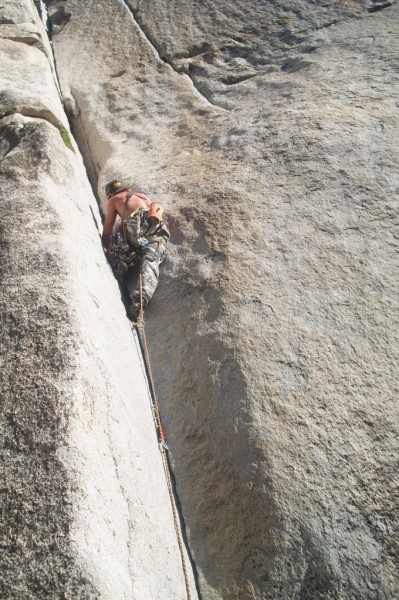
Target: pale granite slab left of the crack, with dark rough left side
(84, 506)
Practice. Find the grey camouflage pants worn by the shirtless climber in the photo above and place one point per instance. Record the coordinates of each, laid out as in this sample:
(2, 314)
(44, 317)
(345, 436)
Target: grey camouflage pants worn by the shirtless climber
(151, 257)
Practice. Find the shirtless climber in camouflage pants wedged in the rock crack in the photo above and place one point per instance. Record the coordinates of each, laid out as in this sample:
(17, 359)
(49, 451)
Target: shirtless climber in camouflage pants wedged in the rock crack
(140, 232)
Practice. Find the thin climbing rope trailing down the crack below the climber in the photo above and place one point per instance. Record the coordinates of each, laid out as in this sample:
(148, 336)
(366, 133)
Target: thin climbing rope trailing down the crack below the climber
(140, 325)
